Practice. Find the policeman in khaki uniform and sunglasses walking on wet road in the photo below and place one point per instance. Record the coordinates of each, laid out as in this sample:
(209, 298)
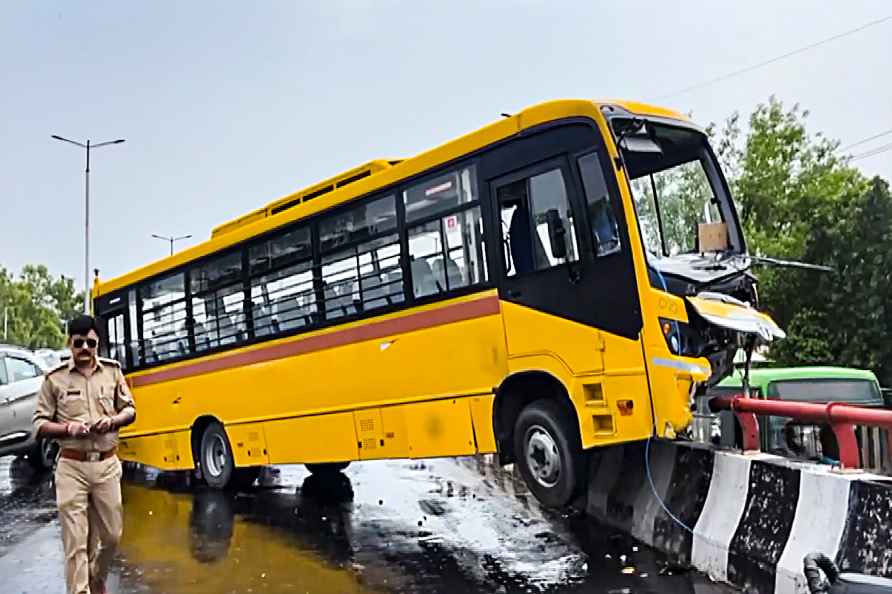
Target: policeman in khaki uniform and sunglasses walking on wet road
(82, 404)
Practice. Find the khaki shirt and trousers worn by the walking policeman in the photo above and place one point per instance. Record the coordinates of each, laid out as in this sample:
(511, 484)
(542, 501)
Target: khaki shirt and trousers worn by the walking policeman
(88, 492)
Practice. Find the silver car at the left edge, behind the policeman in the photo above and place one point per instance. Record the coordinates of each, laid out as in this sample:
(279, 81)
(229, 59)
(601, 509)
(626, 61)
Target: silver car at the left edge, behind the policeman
(21, 375)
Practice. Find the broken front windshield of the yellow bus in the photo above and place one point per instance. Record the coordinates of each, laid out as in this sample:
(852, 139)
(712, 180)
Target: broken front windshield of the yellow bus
(680, 210)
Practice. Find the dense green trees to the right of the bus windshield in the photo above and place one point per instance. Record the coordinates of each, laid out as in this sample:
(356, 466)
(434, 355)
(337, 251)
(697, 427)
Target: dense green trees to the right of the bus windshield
(799, 199)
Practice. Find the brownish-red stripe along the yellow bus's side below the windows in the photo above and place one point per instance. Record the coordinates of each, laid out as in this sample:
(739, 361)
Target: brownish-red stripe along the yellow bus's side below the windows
(457, 312)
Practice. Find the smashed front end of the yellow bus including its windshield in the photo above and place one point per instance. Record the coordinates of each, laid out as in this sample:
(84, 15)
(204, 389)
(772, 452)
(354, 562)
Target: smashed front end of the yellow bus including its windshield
(699, 297)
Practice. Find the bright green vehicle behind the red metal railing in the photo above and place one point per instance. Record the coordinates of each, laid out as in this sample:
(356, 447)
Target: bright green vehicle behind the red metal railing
(800, 384)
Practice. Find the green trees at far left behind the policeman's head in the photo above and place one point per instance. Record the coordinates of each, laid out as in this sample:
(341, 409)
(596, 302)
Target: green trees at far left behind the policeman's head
(34, 306)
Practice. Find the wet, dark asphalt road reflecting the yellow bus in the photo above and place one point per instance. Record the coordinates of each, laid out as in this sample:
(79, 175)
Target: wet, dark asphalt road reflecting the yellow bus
(445, 525)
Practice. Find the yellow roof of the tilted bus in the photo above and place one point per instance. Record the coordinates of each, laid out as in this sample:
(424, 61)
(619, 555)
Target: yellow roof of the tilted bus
(371, 176)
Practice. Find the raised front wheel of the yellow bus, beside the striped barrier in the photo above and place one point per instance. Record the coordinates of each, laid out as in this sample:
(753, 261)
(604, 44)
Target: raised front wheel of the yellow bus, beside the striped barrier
(548, 452)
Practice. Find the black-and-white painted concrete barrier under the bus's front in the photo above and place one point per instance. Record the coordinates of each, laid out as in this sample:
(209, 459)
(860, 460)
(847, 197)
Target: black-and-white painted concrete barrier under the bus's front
(754, 517)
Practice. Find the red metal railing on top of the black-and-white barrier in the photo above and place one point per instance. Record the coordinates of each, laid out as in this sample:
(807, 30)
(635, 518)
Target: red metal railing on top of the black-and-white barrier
(863, 435)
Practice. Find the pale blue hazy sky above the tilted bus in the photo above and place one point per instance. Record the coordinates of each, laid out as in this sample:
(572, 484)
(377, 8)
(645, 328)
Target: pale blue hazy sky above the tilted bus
(226, 106)
